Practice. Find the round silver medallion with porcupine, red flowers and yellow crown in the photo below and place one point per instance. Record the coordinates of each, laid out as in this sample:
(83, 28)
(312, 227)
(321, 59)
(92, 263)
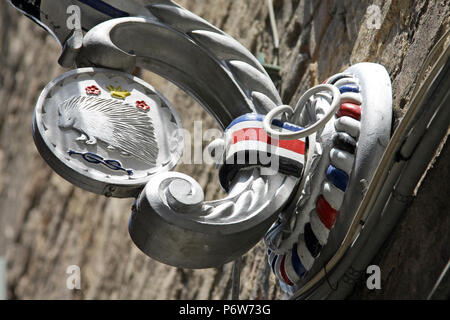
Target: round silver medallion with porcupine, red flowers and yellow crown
(106, 131)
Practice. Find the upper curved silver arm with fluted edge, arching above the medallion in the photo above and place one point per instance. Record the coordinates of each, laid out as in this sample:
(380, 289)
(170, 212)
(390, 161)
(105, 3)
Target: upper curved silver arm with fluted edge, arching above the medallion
(228, 83)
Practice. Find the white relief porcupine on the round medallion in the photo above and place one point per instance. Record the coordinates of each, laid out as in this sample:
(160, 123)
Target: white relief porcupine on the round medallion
(118, 124)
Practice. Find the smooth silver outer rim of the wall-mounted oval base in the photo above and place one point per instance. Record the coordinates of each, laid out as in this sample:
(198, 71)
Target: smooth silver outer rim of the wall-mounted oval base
(376, 117)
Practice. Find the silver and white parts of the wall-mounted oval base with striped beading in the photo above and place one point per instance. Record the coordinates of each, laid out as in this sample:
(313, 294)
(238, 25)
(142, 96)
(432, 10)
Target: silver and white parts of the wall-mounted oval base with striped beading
(372, 134)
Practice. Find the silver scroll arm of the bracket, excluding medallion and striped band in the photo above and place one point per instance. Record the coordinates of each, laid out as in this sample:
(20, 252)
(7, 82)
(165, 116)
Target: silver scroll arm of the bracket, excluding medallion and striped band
(171, 221)
